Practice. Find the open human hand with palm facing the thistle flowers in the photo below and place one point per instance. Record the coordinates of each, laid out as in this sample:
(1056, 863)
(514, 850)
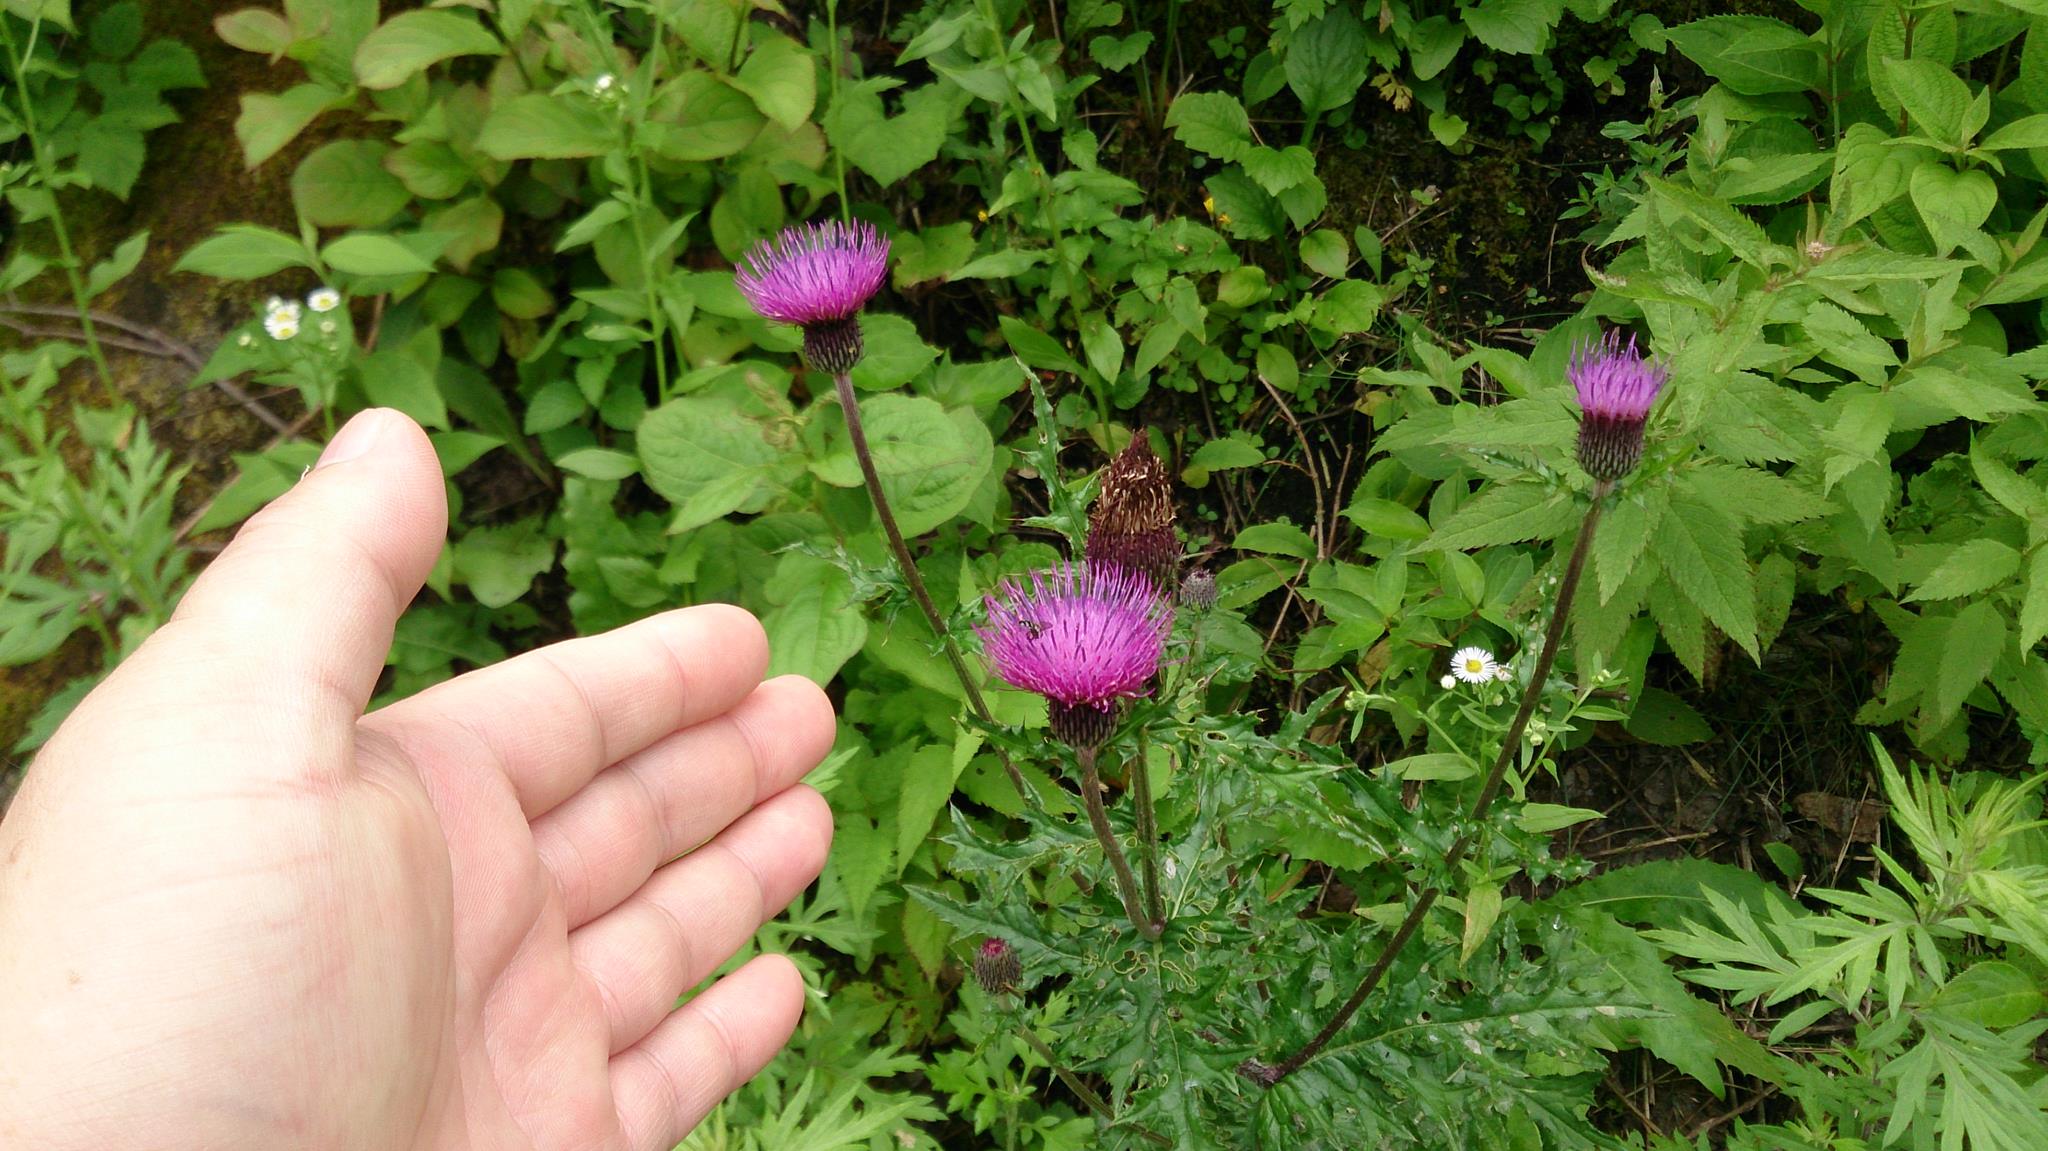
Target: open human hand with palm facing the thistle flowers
(241, 914)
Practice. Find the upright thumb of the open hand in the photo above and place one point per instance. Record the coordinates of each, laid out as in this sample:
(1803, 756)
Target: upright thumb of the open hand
(294, 620)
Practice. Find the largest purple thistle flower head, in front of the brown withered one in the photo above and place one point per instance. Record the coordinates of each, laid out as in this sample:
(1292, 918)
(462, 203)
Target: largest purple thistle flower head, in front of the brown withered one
(1082, 636)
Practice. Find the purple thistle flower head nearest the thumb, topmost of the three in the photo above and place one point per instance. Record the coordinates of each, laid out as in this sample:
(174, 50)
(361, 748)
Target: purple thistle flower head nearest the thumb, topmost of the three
(820, 278)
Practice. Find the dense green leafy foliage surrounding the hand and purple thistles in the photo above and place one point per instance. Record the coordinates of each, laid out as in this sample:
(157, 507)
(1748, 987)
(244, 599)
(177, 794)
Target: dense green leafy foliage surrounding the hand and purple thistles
(1105, 220)
